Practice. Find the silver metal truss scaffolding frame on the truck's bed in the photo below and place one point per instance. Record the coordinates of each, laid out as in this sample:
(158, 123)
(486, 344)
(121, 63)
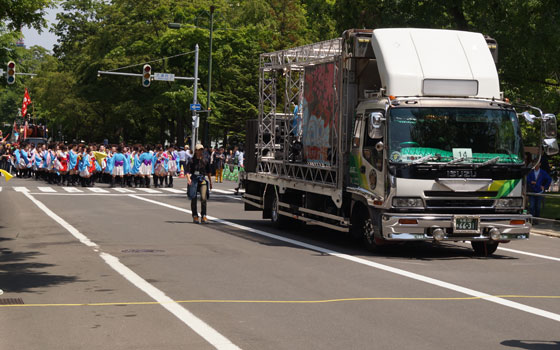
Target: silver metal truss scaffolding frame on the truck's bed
(286, 69)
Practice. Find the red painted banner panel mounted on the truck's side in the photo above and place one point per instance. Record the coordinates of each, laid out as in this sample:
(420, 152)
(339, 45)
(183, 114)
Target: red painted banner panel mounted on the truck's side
(319, 117)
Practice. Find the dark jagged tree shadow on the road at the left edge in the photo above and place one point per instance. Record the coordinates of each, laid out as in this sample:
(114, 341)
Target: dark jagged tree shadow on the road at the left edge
(18, 273)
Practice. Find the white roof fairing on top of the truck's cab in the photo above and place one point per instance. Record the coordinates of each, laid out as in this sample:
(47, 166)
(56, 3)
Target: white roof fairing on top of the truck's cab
(435, 62)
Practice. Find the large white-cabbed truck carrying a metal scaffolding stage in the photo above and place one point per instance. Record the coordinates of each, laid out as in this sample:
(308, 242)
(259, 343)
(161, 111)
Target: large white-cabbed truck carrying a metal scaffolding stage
(392, 135)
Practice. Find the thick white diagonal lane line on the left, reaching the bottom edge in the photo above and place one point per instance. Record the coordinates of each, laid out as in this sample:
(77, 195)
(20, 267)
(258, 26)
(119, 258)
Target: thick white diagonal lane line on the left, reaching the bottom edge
(200, 327)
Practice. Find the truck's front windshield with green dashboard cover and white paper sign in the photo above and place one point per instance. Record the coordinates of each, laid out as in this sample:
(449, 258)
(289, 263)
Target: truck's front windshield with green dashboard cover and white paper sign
(461, 135)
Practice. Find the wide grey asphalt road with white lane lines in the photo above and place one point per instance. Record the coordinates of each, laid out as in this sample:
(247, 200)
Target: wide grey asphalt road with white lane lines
(129, 270)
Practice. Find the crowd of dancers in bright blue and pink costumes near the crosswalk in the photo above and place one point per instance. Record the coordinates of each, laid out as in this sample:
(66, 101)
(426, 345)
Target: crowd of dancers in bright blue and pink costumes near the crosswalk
(85, 165)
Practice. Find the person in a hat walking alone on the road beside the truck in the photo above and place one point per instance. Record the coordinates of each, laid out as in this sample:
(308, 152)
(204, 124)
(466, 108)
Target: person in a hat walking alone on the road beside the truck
(199, 180)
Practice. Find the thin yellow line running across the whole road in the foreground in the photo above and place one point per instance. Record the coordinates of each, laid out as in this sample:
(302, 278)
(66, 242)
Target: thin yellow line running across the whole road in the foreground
(217, 301)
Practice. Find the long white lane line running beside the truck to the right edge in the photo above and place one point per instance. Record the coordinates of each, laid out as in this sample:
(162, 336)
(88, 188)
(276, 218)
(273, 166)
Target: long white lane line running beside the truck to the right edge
(387, 268)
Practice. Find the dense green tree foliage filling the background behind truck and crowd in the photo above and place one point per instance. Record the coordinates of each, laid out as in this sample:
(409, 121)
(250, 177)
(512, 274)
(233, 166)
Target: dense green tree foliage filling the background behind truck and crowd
(101, 35)
